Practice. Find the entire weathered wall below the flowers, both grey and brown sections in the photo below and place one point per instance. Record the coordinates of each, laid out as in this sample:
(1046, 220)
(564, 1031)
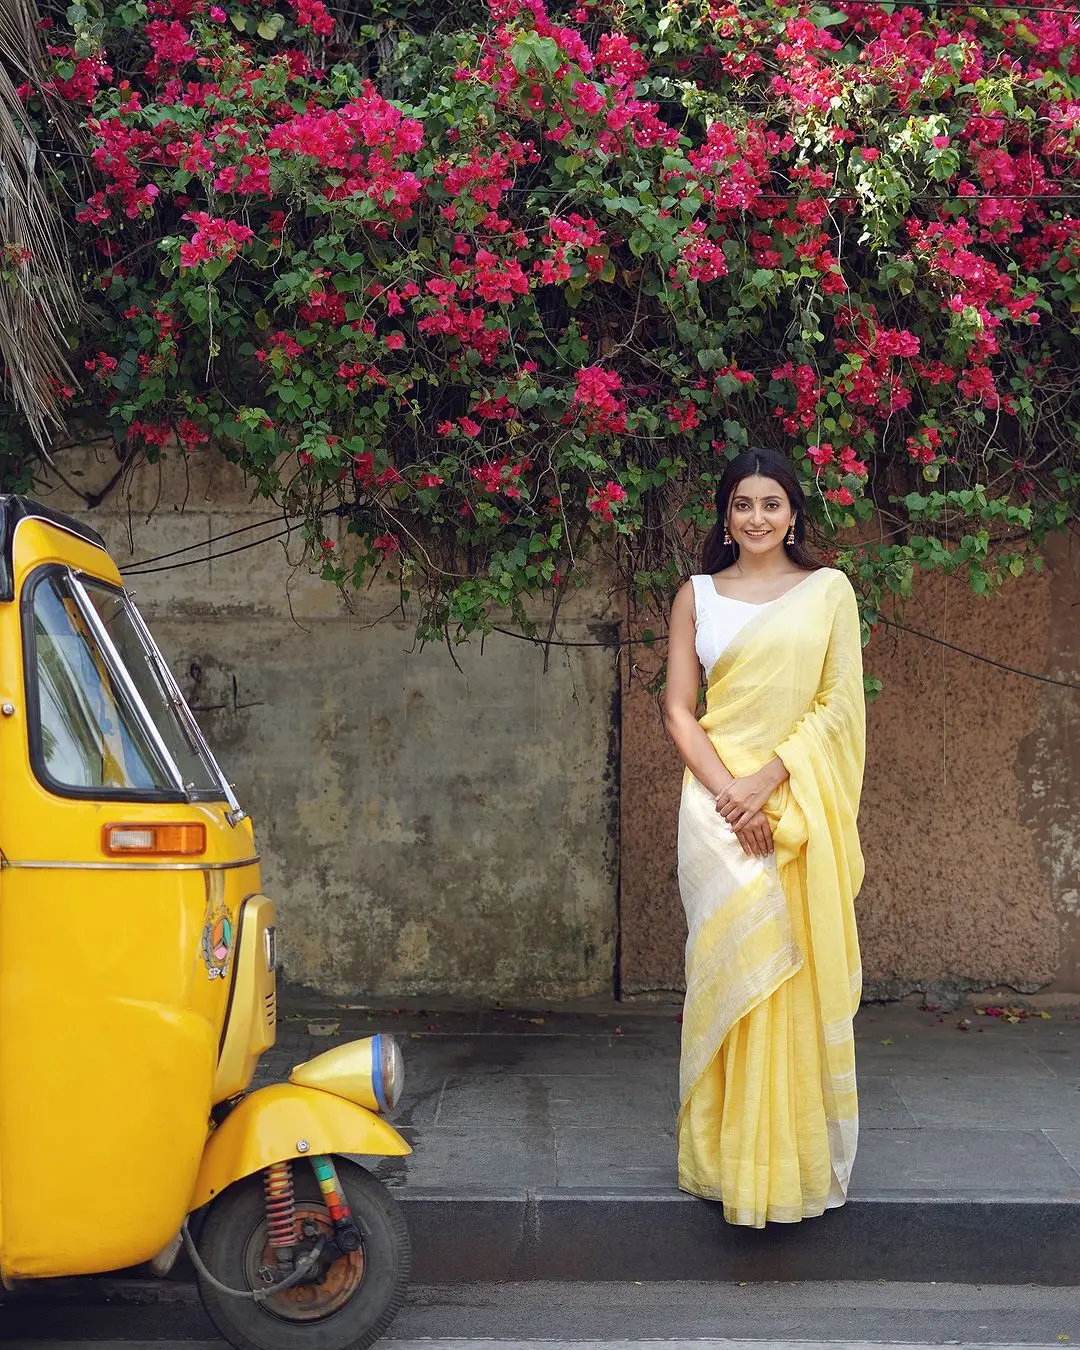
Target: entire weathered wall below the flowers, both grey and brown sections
(488, 834)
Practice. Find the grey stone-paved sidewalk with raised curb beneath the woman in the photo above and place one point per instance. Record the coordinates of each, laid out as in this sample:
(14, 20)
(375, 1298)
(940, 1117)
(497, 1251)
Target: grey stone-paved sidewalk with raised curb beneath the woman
(545, 1148)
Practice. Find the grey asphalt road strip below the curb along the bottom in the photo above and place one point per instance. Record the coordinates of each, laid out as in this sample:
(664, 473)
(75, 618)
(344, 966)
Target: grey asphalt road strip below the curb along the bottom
(615, 1317)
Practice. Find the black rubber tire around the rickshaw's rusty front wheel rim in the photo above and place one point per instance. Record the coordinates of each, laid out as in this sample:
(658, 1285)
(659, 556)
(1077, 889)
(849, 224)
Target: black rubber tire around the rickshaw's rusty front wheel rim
(236, 1216)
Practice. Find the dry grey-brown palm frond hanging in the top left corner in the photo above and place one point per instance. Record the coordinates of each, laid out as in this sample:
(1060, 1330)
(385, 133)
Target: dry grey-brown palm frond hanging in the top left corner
(38, 296)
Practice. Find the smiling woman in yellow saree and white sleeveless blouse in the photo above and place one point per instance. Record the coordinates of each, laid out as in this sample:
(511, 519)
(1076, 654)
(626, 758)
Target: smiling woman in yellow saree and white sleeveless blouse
(769, 857)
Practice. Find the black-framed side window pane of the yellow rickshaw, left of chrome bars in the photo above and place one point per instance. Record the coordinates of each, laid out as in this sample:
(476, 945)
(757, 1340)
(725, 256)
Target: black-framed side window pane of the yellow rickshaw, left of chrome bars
(90, 736)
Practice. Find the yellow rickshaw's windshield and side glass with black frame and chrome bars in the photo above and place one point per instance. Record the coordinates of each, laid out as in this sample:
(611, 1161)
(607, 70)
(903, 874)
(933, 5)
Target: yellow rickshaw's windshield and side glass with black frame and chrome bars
(109, 719)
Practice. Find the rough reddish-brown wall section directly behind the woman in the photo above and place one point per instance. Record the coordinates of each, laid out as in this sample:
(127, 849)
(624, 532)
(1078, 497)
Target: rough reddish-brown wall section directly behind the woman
(971, 816)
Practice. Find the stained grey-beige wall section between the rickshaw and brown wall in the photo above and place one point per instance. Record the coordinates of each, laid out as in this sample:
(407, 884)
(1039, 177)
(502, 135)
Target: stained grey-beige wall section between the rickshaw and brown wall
(425, 830)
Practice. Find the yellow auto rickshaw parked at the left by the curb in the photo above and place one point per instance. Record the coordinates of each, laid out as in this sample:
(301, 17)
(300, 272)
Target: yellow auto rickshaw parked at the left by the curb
(138, 992)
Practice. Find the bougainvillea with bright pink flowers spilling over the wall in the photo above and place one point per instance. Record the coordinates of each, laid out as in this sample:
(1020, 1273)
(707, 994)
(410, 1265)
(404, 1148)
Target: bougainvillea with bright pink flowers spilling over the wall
(507, 286)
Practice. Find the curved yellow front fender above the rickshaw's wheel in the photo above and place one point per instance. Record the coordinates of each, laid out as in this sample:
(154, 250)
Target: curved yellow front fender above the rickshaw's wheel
(286, 1121)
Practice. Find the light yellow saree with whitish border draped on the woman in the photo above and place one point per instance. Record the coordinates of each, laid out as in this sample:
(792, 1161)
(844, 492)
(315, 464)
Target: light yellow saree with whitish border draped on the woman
(769, 1117)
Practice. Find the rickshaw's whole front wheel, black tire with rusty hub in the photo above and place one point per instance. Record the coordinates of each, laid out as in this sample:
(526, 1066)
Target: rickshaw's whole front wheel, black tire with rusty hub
(349, 1309)
